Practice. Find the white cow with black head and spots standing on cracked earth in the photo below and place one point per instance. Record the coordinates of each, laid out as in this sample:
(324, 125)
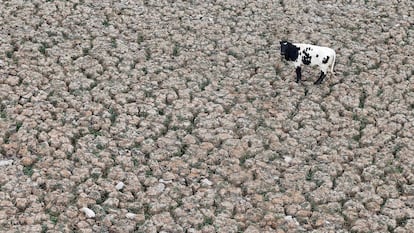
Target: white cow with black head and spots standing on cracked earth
(309, 55)
